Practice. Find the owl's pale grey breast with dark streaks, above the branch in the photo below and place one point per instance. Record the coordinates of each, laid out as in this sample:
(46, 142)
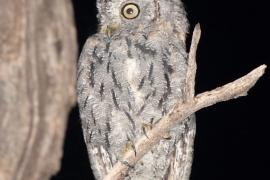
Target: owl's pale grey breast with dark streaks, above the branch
(131, 84)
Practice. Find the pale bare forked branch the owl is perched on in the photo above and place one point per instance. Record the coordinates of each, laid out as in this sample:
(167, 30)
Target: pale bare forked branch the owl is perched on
(184, 109)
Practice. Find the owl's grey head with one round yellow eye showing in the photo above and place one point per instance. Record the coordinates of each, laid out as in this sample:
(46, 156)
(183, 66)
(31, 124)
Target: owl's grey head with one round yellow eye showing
(131, 15)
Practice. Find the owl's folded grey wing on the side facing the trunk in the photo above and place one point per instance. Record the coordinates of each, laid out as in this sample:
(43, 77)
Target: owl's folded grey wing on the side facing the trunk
(99, 157)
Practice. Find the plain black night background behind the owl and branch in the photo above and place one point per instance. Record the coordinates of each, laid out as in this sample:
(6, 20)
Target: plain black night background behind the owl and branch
(232, 137)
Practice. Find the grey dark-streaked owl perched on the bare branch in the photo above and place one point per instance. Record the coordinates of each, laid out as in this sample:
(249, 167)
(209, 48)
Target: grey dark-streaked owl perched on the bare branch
(130, 74)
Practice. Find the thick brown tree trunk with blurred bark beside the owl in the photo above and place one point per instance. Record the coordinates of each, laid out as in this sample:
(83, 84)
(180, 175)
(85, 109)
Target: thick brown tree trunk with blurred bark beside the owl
(37, 76)
